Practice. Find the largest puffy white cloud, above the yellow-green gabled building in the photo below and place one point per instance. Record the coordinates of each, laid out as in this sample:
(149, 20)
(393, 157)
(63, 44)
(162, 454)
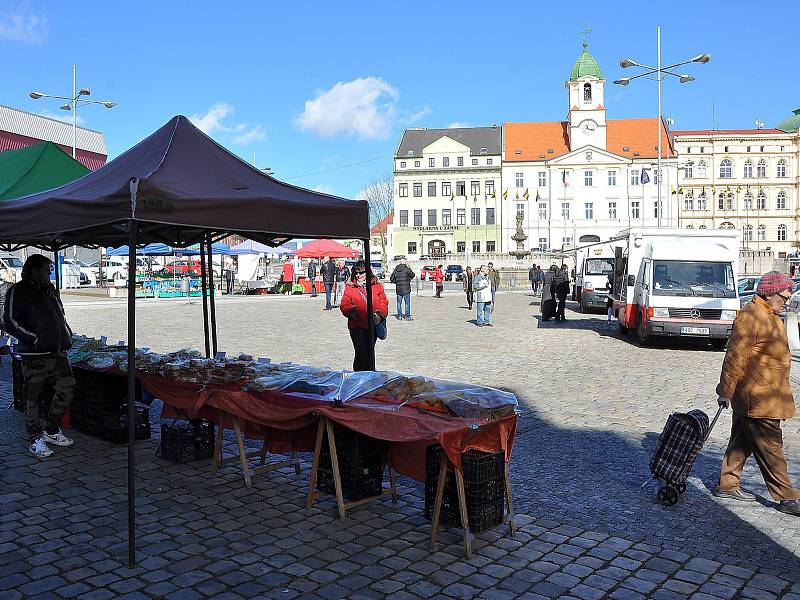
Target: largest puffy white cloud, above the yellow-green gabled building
(364, 107)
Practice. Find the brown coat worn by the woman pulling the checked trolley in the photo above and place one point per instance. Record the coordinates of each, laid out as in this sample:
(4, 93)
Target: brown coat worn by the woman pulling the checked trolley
(755, 373)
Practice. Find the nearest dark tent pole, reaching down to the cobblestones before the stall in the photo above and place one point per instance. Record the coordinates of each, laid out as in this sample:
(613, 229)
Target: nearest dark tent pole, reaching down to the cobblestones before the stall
(131, 391)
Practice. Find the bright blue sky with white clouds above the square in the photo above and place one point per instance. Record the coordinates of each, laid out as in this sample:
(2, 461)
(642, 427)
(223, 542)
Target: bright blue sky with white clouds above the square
(310, 87)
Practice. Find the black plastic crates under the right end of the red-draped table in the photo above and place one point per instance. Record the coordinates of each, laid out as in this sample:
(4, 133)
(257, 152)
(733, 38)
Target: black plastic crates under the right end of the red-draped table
(484, 486)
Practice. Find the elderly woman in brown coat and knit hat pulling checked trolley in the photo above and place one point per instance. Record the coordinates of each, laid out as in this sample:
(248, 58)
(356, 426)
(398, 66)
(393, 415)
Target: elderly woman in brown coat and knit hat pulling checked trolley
(755, 383)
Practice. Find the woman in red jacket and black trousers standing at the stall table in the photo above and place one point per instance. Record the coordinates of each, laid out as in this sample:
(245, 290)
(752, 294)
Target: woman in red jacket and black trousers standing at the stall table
(354, 307)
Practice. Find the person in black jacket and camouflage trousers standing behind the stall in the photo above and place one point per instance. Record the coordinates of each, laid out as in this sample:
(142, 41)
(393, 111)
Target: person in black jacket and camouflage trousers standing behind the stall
(34, 315)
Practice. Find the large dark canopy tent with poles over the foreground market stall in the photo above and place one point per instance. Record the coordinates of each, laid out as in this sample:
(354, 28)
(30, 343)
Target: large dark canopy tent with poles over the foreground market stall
(179, 187)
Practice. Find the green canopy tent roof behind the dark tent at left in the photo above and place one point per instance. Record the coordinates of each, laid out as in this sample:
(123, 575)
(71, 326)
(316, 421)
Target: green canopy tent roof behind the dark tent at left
(35, 169)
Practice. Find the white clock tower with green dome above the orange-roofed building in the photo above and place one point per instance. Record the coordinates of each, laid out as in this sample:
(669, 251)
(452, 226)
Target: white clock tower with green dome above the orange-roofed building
(587, 111)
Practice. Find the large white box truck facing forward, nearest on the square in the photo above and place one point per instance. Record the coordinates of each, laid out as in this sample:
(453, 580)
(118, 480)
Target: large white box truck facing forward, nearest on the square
(677, 283)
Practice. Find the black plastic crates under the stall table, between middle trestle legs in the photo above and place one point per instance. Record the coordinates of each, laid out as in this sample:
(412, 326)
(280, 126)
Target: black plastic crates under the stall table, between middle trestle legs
(361, 463)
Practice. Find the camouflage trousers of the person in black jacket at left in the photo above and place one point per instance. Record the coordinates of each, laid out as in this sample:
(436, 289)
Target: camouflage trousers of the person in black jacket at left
(37, 372)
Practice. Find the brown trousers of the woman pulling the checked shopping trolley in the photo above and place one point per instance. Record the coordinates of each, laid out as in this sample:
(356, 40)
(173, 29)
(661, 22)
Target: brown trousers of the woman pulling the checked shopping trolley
(763, 439)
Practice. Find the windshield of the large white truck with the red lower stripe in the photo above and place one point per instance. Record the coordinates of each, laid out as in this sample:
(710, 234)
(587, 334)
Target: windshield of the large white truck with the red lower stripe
(679, 278)
